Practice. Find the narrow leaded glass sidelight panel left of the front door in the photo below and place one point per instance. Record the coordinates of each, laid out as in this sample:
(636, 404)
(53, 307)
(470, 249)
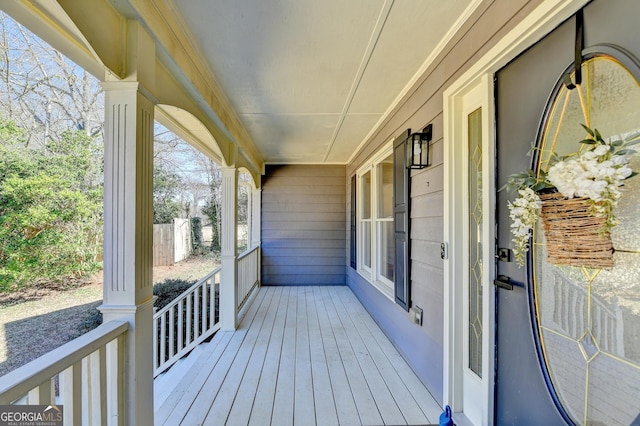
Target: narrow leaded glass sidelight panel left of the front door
(475, 241)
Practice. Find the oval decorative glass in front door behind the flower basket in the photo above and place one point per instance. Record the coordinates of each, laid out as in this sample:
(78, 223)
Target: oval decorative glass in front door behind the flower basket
(588, 319)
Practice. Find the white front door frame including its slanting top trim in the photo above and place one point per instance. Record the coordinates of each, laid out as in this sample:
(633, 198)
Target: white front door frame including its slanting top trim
(544, 18)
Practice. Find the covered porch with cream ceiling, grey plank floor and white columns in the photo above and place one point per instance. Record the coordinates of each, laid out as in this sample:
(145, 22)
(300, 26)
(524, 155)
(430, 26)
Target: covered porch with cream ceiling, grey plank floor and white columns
(319, 112)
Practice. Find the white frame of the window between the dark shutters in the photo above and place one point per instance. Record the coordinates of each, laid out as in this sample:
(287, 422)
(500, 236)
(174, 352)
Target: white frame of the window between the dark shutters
(384, 285)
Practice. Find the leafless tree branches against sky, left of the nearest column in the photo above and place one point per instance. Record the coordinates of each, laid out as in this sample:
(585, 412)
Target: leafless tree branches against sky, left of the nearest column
(44, 92)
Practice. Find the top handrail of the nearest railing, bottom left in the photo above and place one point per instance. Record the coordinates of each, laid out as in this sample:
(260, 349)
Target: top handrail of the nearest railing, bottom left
(20, 381)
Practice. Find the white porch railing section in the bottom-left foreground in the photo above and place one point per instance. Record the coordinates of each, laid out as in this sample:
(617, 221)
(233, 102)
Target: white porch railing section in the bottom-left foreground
(85, 375)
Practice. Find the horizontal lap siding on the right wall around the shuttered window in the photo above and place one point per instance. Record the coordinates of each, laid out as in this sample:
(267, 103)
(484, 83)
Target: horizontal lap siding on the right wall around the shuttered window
(423, 104)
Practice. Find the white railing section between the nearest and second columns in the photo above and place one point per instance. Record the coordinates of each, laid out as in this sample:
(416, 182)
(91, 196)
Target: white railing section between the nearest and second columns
(186, 322)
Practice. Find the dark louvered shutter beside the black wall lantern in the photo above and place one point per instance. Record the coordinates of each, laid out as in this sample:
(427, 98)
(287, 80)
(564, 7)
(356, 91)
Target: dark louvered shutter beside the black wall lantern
(401, 201)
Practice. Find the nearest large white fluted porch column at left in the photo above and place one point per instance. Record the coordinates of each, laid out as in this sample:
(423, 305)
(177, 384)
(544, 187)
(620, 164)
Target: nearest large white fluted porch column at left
(128, 238)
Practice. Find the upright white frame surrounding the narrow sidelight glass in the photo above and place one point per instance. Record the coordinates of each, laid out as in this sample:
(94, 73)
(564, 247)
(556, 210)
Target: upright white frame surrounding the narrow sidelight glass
(456, 276)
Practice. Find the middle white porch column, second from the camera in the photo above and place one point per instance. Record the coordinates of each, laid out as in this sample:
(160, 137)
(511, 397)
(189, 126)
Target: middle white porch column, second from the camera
(228, 255)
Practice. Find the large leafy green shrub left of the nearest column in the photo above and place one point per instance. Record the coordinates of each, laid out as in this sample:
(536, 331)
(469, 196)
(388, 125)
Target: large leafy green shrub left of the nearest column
(50, 211)
